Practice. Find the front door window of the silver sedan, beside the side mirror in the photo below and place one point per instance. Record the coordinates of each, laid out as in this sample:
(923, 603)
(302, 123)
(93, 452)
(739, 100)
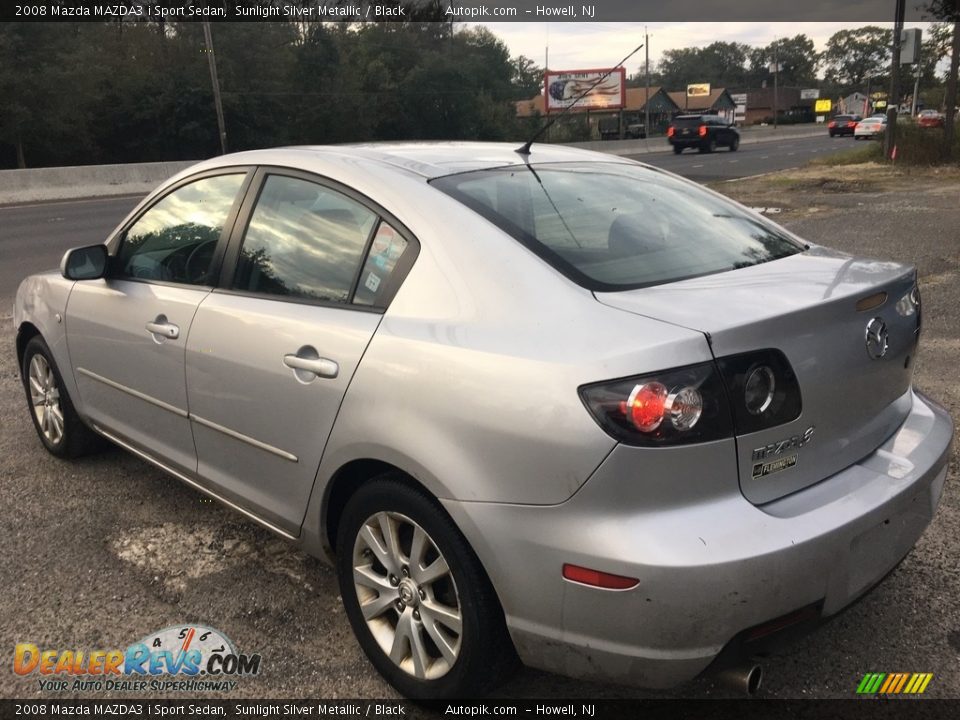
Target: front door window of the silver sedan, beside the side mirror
(175, 240)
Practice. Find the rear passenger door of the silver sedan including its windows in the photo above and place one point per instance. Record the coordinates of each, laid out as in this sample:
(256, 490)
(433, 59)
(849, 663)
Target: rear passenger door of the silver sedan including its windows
(272, 351)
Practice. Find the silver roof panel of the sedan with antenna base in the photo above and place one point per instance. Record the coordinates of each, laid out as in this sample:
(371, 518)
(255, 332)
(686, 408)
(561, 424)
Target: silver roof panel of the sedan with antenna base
(426, 159)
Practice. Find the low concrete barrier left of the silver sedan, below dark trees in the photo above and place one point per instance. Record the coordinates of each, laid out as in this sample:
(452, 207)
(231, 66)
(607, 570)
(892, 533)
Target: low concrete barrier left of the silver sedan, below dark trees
(84, 181)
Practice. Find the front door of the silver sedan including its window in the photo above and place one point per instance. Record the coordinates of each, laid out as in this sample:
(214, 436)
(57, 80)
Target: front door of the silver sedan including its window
(127, 333)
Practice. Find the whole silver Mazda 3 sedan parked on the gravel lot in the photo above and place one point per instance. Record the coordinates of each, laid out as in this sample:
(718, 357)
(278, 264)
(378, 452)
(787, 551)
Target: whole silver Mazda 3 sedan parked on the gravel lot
(560, 405)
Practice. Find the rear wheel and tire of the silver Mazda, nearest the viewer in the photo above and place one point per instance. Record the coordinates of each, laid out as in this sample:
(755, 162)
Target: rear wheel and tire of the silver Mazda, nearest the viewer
(408, 606)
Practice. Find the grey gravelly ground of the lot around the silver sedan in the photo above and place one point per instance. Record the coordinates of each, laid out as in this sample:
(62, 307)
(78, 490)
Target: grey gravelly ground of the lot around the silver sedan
(105, 550)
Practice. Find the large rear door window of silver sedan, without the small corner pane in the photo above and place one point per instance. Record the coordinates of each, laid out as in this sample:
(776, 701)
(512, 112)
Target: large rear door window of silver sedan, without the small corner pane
(303, 241)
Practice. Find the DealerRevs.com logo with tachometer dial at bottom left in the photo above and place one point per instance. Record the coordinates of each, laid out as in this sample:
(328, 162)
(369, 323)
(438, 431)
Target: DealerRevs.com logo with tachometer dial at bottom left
(190, 658)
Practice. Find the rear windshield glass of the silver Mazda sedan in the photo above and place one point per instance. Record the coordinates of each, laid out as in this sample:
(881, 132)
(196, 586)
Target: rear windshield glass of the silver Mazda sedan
(618, 226)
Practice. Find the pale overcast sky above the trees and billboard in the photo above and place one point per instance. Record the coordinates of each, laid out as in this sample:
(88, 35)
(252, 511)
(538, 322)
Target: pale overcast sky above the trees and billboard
(595, 45)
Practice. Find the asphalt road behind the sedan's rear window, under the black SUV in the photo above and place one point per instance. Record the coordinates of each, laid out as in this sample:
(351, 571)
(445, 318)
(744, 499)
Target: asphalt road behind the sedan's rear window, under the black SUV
(749, 160)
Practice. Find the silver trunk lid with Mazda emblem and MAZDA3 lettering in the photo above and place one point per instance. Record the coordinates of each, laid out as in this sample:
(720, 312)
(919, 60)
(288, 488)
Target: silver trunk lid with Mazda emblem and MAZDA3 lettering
(805, 306)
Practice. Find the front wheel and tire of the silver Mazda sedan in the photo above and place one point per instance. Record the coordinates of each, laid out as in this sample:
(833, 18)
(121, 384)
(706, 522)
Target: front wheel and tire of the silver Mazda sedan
(57, 423)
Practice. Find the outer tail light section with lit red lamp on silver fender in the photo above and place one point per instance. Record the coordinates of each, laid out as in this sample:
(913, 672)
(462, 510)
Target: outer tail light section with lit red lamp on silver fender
(674, 407)
